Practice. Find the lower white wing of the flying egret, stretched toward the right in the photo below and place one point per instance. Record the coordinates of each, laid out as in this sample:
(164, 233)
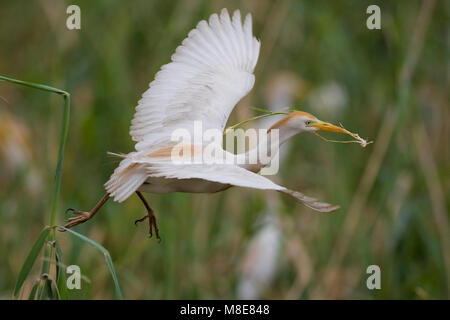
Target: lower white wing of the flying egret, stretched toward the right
(232, 175)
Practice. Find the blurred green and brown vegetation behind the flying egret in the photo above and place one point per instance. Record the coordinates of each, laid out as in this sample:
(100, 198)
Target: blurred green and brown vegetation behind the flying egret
(394, 194)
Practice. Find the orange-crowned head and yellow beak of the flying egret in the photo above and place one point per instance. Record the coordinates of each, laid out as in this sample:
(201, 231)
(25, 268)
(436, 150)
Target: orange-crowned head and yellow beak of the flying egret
(301, 121)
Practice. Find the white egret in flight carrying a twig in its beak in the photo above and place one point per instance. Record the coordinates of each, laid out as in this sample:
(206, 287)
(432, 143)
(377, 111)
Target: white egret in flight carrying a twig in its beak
(209, 73)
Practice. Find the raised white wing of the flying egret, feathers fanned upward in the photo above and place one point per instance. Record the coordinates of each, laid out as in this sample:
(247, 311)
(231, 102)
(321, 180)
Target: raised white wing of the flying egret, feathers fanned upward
(210, 72)
